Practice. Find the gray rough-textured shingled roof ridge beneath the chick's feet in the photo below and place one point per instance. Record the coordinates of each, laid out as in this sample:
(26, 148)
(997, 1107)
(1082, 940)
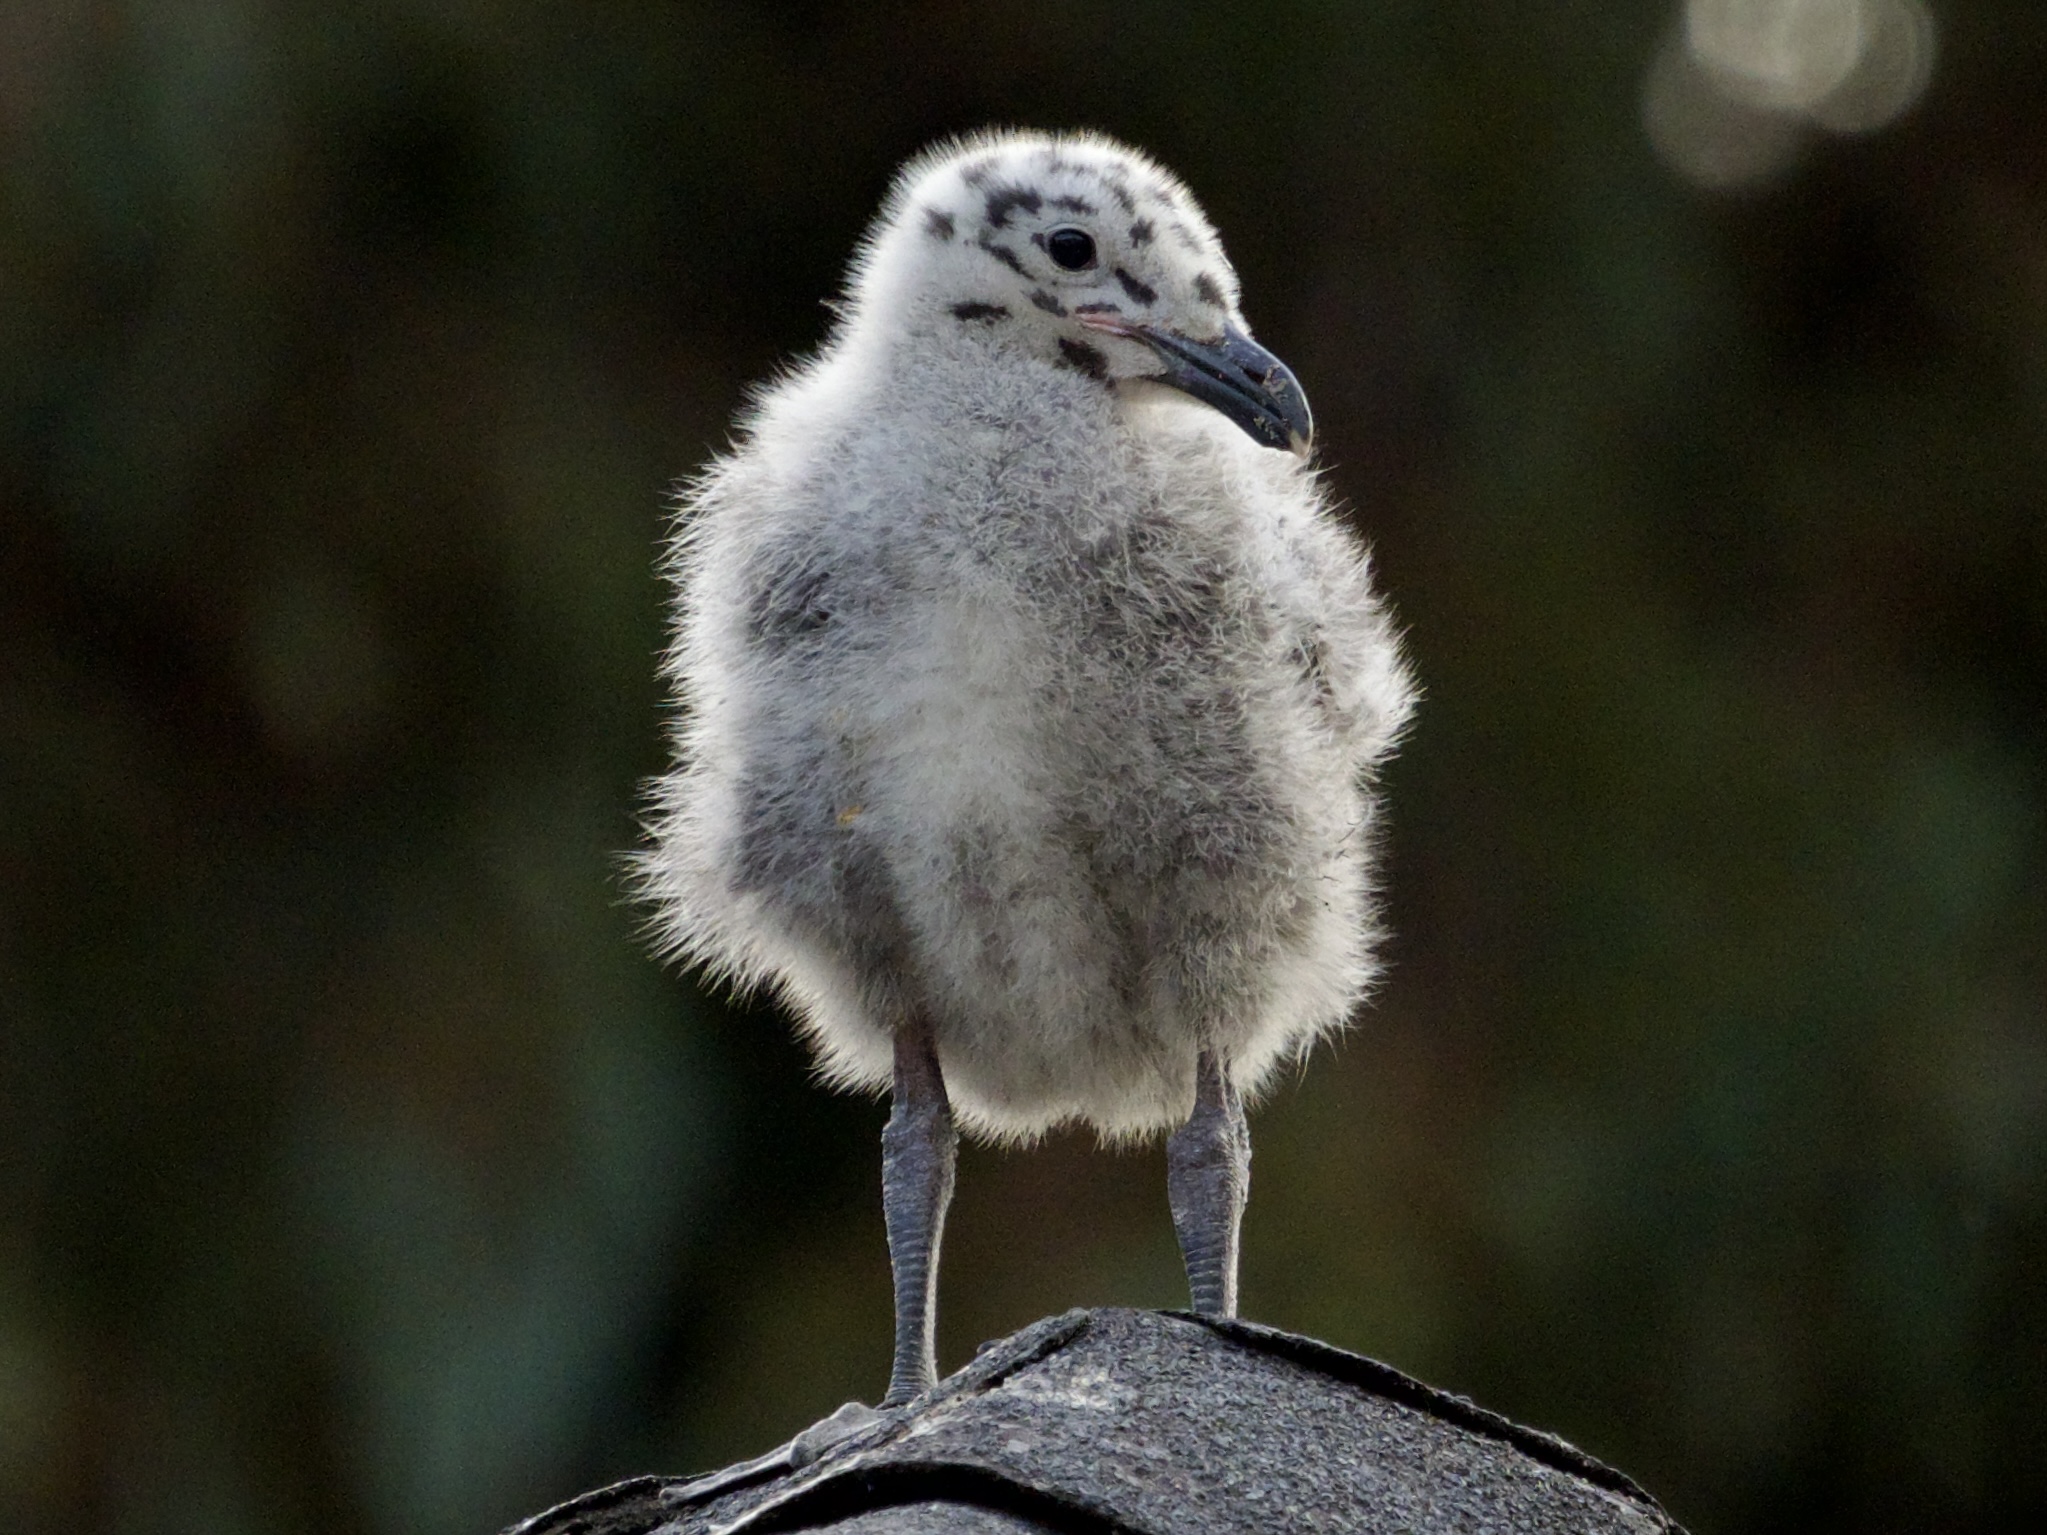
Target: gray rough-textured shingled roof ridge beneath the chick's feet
(1139, 1421)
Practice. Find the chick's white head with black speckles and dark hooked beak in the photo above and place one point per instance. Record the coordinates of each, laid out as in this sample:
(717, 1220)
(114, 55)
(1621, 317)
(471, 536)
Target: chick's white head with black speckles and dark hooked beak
(1080, 253)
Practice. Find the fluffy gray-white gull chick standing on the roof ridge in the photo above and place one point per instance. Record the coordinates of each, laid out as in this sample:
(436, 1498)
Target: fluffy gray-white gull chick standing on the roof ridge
(1031, 697)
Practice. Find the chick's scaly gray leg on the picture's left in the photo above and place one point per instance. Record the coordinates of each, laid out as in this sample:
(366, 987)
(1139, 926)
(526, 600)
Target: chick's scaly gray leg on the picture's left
(918, 1153)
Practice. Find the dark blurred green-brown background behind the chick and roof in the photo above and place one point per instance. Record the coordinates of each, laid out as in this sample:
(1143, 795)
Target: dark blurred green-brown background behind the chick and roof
(1688, 367)
